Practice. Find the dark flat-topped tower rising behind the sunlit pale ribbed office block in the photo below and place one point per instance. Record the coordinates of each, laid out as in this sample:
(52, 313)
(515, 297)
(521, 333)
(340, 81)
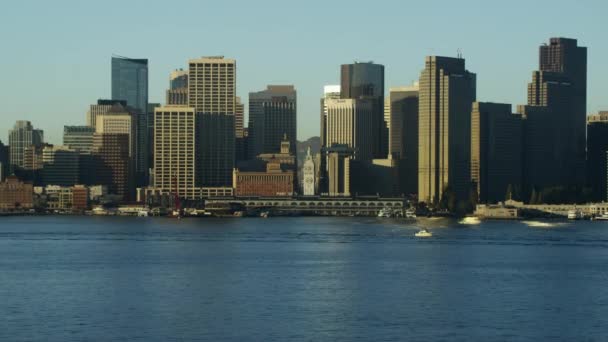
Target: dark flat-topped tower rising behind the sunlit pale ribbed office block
(366, 80)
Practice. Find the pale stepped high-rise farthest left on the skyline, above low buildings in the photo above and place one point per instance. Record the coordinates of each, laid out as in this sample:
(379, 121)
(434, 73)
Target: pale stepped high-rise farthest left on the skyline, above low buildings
(22, 136)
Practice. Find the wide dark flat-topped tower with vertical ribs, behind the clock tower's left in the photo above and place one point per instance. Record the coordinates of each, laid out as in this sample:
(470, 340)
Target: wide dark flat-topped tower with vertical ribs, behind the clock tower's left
(272, 115)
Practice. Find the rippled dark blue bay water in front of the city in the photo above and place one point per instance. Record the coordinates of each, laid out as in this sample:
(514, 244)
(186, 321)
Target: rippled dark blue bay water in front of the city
(300, 279)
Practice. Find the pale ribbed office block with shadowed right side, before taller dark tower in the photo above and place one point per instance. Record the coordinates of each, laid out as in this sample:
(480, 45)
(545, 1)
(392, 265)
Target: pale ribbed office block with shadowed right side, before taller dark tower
(348, 123)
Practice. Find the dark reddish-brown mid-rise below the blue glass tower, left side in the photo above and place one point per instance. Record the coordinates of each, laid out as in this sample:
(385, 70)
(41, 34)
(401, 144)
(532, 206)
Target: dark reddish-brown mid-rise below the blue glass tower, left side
(113, 164)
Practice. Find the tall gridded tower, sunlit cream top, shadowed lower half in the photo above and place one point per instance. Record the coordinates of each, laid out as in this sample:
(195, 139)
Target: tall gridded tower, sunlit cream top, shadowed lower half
(212, 94)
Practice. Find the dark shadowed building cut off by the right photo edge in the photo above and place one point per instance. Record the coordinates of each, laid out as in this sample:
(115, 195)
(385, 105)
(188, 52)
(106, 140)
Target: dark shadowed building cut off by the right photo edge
(597, 147)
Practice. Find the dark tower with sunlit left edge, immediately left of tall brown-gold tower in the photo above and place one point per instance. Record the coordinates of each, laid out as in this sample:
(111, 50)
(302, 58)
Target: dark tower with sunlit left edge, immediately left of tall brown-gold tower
(401, 114)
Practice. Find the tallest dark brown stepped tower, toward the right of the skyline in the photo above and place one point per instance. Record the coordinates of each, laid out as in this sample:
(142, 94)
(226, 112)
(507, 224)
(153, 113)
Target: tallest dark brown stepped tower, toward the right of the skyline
(561, 86)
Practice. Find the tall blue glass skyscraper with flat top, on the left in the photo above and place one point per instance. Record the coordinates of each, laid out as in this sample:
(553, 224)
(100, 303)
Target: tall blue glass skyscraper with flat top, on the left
(130, 83)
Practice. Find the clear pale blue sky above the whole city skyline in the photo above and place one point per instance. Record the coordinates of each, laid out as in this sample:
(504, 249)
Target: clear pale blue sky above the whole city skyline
(55, 55)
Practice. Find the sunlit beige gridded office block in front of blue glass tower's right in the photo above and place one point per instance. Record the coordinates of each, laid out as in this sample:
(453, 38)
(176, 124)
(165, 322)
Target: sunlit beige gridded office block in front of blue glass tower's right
(175, 151)
